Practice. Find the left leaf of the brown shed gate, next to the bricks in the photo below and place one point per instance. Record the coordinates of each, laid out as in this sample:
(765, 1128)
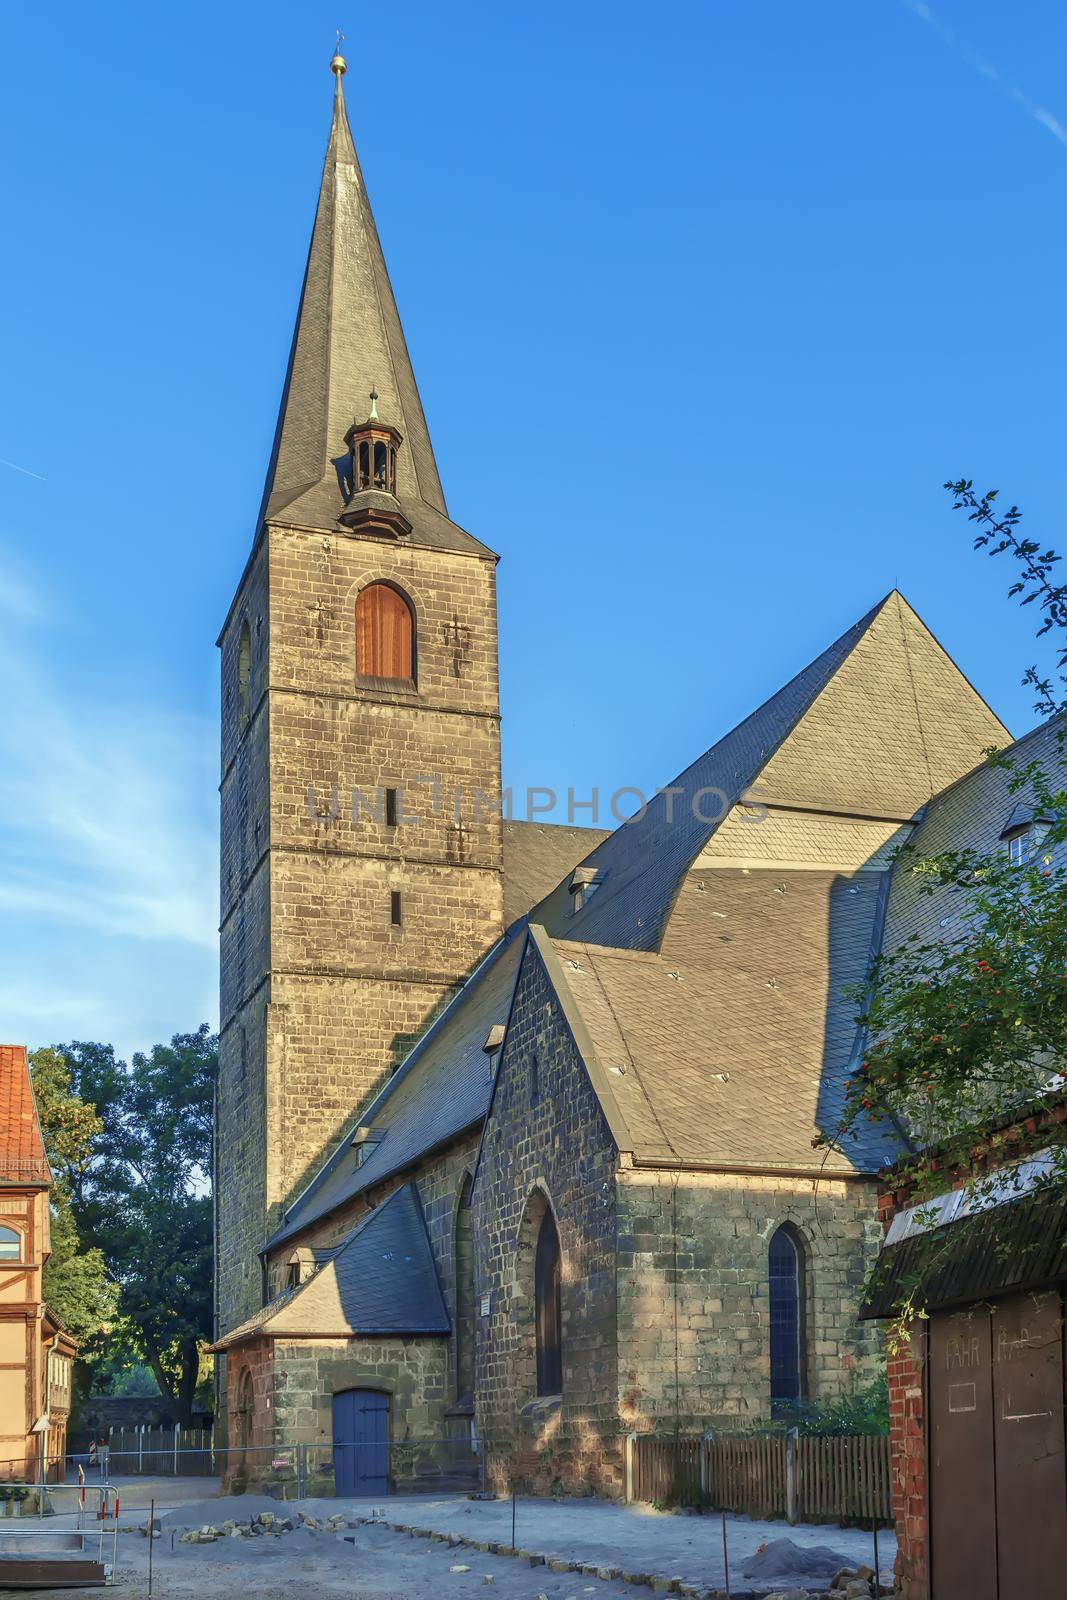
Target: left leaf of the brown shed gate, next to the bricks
(962, 1479)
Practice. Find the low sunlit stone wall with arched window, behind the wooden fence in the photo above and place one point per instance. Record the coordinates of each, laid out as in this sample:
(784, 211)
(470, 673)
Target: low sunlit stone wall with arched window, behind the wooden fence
(695, 1292)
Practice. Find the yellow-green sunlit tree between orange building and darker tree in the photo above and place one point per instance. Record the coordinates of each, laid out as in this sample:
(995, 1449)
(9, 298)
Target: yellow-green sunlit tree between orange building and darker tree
(76, 1282)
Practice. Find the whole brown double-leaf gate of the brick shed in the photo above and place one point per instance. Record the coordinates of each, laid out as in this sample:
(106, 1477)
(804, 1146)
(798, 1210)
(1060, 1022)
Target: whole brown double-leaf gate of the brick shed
(997, 1460)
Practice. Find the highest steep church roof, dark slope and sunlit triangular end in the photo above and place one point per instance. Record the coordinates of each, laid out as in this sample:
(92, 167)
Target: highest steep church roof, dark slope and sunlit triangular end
(839, 719)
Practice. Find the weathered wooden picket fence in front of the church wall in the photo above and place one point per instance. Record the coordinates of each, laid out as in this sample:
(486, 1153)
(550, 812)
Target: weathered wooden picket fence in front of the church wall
(812, 1479)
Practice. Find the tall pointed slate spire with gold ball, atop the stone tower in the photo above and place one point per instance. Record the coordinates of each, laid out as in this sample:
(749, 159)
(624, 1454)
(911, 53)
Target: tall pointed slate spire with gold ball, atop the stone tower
(348, 343)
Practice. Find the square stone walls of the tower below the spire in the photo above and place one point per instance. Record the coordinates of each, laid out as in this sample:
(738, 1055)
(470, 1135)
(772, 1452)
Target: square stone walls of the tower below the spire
(321, 994)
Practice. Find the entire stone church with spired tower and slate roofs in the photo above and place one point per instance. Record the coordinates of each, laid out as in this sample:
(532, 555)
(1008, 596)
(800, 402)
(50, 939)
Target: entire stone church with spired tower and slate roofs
(514, 1135)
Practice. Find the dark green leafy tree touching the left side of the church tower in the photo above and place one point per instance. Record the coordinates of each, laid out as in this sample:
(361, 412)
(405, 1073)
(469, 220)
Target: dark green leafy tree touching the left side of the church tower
(145, 1198)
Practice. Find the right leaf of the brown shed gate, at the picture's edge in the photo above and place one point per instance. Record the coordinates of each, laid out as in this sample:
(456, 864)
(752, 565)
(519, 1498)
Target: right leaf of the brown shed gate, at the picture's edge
(1029, 1444)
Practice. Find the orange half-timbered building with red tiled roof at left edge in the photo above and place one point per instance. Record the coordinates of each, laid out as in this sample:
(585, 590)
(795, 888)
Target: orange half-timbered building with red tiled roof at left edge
(36, 1353)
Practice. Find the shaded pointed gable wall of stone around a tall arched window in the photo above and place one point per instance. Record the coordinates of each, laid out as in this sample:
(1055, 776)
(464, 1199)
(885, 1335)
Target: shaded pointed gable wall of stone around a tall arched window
(546, 1143)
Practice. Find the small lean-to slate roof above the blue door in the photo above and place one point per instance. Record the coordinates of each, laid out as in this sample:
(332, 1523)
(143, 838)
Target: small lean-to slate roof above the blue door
(382, 1281)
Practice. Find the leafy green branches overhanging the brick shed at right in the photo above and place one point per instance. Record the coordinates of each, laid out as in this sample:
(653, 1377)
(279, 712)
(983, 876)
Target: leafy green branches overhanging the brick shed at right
(972, 1028)
